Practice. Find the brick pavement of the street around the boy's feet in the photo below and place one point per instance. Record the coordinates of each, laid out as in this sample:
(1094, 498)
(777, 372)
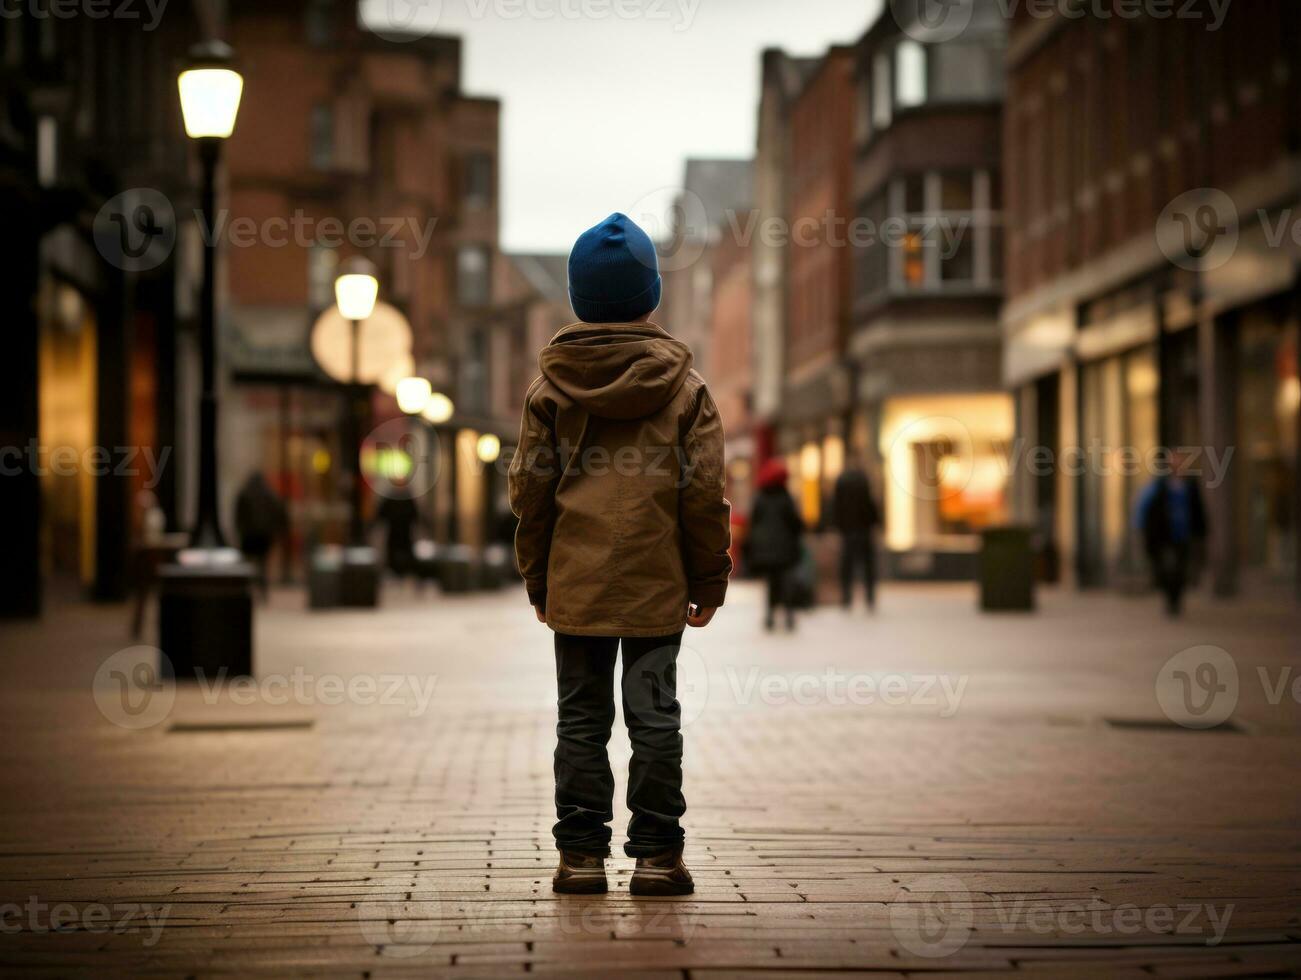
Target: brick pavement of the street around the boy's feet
(928, 791)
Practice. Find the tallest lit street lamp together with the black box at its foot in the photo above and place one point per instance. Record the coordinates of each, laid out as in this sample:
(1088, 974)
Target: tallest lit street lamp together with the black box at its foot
(205, 598)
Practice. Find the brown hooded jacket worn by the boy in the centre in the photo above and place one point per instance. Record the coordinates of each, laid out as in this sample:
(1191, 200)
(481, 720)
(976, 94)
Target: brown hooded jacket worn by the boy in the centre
(619, 485)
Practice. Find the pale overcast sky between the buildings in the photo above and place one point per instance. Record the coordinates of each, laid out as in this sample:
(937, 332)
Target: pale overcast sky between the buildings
(602, 110)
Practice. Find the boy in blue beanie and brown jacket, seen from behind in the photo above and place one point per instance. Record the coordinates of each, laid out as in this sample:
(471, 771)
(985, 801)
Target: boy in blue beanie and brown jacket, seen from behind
(623, 539)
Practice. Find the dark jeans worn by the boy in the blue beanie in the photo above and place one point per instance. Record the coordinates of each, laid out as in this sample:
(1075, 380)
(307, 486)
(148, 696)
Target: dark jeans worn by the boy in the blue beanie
(585, 785)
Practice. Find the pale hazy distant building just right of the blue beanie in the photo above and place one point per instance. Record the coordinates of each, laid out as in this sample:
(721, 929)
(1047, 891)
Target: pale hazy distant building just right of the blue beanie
(715, 200)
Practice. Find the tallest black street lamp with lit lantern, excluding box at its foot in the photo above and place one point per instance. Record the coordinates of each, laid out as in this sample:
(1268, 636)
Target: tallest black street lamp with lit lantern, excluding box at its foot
(210, 92)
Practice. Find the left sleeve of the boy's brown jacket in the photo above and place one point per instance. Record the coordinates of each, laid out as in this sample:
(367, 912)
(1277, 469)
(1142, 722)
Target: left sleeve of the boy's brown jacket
(534, 474)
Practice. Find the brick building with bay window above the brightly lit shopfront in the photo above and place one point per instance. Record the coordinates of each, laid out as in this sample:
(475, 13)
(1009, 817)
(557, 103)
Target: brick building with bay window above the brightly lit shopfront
(924, 346)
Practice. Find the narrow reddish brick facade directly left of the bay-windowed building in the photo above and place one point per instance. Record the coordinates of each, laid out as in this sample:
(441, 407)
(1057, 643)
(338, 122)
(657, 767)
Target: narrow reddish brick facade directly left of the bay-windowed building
(816, 404)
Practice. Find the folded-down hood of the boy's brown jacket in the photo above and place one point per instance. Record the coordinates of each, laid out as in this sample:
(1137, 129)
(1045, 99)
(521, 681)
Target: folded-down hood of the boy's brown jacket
(617, 370)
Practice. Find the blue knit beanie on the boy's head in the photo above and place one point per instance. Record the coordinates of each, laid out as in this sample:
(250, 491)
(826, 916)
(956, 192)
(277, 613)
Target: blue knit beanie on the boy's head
(615, 275)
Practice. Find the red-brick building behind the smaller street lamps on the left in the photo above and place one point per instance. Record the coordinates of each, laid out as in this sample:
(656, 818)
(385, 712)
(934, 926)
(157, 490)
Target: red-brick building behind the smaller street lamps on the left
(361, 144)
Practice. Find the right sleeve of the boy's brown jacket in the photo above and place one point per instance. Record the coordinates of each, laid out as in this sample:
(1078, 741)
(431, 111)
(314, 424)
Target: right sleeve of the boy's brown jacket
(704, 512)
